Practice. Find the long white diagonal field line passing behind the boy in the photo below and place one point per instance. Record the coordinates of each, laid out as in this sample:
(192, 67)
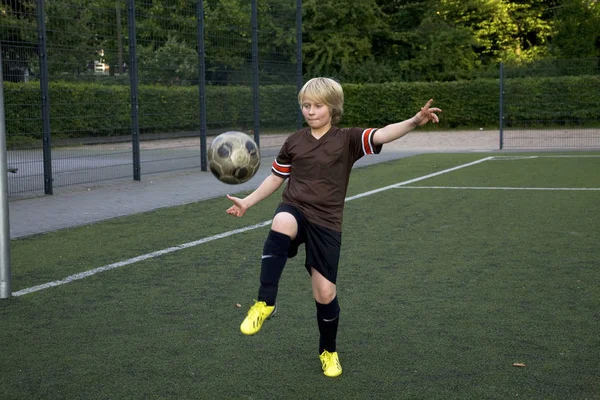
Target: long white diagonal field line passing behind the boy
(159, 253)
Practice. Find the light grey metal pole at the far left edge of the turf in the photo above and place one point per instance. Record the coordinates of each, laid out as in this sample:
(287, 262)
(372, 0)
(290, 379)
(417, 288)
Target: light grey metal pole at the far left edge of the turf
(5, 275)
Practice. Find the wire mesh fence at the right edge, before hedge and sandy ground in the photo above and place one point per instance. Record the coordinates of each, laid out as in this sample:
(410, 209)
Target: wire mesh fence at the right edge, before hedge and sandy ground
(550, 104)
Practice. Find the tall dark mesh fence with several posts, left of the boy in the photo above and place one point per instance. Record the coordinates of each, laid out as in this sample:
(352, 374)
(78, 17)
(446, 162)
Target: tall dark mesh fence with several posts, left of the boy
(112, 77)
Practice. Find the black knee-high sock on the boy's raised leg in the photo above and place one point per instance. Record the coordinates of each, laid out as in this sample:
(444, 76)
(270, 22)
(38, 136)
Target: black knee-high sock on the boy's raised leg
(275, 254)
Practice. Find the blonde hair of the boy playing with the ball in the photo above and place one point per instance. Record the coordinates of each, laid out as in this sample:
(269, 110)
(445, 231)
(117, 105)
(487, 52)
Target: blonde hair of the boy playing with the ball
(326, 91)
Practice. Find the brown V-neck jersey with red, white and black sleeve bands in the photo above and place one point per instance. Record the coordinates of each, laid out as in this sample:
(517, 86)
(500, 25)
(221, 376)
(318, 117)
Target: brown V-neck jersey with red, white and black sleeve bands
(319, 171)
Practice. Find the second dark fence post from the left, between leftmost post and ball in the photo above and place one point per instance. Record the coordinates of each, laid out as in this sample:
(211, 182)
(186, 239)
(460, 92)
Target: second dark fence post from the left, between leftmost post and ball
(133, 79)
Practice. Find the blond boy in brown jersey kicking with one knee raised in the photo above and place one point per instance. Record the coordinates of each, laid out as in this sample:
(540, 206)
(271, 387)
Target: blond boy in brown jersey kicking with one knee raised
(317, 161)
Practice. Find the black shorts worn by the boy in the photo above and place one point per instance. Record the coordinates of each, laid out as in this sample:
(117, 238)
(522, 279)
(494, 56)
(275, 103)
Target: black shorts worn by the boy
(322, 244)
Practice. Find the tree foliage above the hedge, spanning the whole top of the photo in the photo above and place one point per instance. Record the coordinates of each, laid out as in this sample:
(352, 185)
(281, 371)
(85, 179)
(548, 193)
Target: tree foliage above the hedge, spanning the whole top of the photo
(356, 41)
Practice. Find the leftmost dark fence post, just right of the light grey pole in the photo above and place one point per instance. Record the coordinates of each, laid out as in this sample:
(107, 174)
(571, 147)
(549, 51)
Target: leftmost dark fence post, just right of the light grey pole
(46, 143)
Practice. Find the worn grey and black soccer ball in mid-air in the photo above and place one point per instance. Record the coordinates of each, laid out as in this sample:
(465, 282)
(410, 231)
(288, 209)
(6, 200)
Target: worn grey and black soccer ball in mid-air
(233, 157)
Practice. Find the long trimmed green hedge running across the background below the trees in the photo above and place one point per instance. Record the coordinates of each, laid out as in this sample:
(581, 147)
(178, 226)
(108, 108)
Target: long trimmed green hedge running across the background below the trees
(94, 110)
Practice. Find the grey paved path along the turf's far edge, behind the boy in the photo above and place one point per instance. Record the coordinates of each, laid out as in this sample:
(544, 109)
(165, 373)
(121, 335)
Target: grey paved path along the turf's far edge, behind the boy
(86, 204)
